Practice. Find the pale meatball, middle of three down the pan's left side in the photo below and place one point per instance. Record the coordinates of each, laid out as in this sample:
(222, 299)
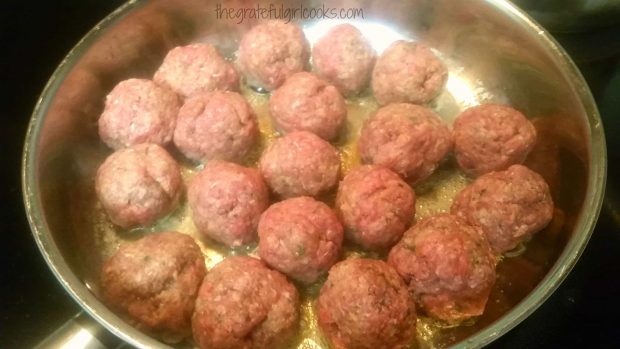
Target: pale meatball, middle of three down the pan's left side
(138, 185)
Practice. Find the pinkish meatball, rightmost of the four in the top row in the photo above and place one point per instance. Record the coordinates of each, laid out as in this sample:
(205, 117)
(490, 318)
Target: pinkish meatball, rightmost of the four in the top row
(408, 72)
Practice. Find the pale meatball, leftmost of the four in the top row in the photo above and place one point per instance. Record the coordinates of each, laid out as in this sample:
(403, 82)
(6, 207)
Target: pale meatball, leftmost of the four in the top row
(197, 68)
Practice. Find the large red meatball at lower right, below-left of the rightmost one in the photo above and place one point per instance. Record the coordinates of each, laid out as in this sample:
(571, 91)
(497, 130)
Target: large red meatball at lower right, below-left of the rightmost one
(448, 265)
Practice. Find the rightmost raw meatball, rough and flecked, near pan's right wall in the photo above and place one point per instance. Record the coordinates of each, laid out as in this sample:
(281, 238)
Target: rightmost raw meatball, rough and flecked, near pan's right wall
(508, 205)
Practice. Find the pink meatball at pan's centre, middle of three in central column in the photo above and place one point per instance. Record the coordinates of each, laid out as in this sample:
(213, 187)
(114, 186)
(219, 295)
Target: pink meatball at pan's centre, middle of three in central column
(300, 164)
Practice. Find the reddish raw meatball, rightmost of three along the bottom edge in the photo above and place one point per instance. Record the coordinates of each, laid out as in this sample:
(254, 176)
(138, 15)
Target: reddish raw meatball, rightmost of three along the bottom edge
(364, 304)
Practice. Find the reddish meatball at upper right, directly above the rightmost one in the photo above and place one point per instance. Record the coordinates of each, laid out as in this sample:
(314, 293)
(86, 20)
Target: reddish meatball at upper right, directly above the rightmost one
(491, 137)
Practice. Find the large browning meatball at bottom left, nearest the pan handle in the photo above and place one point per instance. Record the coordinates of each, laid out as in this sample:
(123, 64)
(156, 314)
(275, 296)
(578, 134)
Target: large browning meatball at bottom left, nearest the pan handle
(154, 282)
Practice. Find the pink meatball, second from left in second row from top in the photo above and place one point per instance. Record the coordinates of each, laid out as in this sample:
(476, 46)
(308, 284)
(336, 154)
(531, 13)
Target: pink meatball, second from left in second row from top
(216, 125)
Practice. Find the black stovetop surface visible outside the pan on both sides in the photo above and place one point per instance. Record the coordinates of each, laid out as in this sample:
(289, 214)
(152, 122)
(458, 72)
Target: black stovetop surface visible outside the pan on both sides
(35, 36)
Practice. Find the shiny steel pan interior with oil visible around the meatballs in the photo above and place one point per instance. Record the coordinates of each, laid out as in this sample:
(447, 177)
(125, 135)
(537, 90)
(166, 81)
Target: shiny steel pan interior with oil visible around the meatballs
(494, 54)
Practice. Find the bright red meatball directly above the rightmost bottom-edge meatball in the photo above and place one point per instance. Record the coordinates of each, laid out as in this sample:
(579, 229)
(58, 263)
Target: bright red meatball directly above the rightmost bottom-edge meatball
(376, 206)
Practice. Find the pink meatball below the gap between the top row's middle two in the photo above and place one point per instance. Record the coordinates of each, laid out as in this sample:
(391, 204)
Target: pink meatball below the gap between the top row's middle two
(307, 103)
